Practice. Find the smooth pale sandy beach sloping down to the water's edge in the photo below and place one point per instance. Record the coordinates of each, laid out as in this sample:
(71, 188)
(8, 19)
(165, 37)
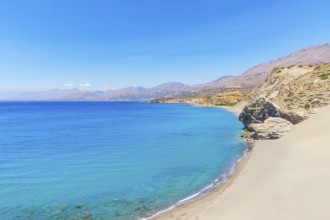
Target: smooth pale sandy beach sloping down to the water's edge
(288, 178)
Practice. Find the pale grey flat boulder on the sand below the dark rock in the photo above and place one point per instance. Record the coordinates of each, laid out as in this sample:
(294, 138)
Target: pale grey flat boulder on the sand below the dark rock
(271, 128)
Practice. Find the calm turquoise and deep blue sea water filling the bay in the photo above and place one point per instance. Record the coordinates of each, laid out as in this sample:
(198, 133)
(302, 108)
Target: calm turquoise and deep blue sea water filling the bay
(109, 160)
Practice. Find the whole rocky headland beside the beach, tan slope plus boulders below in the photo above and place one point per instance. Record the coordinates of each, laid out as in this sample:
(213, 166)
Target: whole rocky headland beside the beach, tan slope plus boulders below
(290, 93)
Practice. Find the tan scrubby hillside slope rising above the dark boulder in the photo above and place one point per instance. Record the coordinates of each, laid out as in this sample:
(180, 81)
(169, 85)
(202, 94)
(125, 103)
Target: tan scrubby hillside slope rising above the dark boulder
(296, 90)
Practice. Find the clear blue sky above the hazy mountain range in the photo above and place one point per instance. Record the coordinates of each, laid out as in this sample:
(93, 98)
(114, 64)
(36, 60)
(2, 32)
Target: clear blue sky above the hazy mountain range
(96, 44)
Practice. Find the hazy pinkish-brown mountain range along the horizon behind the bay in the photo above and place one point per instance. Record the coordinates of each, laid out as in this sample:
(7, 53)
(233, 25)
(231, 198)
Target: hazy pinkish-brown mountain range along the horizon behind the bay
(316, 54)
